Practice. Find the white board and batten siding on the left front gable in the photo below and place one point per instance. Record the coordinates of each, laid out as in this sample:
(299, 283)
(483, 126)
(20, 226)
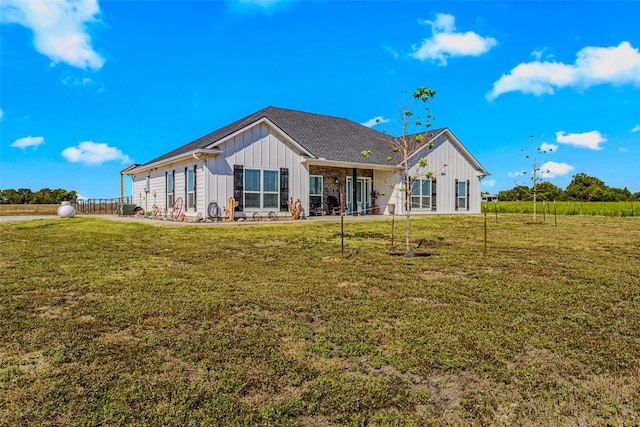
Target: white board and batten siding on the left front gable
(259, 147)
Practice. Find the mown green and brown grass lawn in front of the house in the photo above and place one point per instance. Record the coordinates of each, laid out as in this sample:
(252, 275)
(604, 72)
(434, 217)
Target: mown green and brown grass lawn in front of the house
(110, 323)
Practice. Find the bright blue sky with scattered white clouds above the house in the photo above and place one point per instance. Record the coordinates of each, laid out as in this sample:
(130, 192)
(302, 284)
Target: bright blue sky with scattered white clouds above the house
(89, 87)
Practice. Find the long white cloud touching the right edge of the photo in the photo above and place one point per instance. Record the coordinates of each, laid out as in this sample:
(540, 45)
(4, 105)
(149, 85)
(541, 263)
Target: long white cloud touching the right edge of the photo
(617, 65)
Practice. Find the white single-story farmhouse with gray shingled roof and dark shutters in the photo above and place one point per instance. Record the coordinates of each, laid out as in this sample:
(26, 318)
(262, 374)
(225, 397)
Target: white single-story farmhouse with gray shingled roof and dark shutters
(274, 155)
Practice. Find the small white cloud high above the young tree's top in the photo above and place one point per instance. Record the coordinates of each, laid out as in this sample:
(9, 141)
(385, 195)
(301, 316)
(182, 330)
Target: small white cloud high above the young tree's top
(446, 42)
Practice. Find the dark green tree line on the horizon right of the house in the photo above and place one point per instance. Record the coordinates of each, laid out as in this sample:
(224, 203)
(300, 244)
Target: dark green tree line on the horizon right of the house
(582, 188)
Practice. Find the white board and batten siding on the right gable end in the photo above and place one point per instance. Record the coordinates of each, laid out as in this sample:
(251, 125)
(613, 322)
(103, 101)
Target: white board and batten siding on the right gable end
(458, 168)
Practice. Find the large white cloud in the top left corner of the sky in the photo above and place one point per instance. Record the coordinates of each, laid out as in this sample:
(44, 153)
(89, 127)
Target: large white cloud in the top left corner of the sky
(59, 28)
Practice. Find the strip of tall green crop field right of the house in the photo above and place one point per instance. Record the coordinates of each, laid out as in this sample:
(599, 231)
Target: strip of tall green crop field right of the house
(567, 208)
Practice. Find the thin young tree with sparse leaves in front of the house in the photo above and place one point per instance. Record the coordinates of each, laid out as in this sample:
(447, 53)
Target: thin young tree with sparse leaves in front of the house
(409, 143)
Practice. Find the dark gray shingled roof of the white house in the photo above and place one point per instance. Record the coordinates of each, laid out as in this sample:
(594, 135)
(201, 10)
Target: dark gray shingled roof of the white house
(327, 137)
